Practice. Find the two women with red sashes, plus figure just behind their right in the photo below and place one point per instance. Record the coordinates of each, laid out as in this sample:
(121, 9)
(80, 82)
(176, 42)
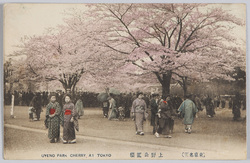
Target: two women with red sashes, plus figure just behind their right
(66, 116)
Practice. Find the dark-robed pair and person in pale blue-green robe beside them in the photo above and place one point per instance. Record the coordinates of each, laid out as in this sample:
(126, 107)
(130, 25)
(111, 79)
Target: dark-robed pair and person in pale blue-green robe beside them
(163, 112)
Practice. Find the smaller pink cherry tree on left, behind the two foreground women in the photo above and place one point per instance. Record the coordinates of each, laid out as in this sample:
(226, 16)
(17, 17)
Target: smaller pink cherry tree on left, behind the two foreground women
(68, 53)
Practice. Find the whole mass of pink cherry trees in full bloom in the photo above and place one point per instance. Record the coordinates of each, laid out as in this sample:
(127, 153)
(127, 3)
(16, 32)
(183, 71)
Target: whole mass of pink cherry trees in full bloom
(171, 41)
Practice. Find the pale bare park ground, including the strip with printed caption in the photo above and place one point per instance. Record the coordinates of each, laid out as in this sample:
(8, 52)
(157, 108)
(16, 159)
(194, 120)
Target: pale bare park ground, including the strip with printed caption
(98, 138)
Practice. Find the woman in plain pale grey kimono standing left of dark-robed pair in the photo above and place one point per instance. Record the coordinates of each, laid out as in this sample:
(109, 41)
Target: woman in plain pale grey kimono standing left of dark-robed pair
(138, 111)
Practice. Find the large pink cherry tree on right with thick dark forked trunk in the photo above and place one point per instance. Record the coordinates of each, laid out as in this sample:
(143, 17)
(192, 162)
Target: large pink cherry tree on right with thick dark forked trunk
(167, 39)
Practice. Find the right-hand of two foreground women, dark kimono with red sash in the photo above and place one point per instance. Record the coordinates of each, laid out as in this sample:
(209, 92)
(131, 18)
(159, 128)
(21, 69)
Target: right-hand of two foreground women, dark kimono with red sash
(70, 115)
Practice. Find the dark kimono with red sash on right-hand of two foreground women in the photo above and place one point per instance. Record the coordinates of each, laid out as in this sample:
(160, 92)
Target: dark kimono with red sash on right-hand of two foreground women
(69, 111)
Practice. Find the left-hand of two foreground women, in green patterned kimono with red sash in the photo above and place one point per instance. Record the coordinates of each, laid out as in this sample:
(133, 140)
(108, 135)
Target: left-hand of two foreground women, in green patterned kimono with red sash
(53, 119)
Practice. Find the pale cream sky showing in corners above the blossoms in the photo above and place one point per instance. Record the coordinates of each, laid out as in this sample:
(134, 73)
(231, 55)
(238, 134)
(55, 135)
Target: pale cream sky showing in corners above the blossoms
(33, 19)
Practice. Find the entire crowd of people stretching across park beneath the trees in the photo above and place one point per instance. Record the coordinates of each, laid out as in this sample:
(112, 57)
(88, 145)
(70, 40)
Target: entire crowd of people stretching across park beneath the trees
(65, 110)
